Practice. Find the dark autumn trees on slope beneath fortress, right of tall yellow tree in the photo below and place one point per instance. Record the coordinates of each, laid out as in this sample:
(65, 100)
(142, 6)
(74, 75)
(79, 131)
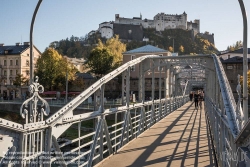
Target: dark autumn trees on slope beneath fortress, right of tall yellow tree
(184, 38)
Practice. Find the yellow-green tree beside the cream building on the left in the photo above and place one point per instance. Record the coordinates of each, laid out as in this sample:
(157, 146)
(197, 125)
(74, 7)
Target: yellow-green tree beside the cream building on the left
(52, 69)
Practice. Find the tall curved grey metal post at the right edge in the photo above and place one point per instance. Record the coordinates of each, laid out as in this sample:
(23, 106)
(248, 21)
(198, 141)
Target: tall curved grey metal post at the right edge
(245, 61)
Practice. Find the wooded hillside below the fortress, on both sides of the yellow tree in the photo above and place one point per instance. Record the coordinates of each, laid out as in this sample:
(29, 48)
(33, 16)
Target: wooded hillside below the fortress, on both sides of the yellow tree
(184, 43)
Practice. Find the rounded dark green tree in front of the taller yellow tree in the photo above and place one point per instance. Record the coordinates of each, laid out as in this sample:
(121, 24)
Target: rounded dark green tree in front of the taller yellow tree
(100, 61)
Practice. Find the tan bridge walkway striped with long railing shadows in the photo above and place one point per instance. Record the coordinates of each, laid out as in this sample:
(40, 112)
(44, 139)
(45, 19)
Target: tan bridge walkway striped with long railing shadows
(180, 139)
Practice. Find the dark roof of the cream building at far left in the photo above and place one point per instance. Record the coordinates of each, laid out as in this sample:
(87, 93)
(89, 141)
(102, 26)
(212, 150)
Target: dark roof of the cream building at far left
(14, 49)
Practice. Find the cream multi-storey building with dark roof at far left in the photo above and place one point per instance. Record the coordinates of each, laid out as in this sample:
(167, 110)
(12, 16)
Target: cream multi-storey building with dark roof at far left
(14, 60)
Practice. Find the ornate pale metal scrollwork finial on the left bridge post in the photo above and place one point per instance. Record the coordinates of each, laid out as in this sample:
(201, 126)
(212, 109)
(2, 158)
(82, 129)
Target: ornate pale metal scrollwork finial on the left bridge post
(31, 104)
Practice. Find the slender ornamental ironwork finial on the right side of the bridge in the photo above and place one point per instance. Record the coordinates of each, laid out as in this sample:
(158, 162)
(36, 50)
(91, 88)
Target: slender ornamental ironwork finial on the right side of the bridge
(239, 112)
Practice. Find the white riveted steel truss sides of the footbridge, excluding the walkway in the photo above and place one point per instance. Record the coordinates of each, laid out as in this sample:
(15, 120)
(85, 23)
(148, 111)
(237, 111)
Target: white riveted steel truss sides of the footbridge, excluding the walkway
(43, 141)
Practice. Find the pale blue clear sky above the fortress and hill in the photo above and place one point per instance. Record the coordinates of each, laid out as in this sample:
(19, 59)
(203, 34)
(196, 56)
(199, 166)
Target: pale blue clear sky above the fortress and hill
(59, 19)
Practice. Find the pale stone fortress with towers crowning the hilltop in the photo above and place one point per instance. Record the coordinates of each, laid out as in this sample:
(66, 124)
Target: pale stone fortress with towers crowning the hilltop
(132, 28)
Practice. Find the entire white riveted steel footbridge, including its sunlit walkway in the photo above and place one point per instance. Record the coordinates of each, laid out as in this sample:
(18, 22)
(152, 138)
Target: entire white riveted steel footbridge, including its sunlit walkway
(165, 131)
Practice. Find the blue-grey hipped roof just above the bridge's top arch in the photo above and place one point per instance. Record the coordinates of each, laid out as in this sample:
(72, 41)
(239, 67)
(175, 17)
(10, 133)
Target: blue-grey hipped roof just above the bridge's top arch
(146, 49)
